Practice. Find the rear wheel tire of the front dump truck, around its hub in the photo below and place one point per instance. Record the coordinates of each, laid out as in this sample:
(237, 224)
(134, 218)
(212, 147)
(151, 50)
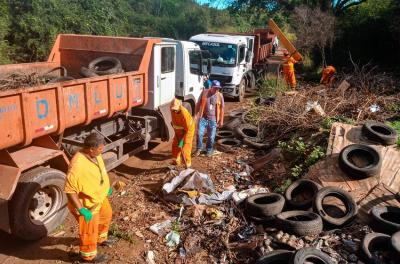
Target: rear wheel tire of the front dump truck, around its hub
(30, 182)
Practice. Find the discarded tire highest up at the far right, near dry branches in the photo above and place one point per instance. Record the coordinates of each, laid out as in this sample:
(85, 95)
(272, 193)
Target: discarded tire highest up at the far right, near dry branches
(379, 132)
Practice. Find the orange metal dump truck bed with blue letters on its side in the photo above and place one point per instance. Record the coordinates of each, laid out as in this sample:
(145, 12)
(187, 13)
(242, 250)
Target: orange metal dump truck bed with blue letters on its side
(29, 113)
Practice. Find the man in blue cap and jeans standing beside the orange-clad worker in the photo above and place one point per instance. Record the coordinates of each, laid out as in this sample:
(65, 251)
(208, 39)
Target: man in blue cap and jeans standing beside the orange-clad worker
(211, 116)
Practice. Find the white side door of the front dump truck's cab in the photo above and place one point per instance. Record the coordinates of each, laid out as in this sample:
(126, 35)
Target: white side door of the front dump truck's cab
(166, 69)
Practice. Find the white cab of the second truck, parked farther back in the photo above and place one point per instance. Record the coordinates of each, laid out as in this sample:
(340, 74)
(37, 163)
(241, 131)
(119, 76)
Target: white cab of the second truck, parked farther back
(231, 57)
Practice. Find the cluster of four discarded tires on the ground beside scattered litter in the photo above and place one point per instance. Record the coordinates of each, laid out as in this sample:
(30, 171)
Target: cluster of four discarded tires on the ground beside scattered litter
(302, 211)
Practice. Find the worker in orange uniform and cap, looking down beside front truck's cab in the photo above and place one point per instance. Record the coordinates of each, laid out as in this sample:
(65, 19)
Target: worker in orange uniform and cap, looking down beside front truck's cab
(184, 128)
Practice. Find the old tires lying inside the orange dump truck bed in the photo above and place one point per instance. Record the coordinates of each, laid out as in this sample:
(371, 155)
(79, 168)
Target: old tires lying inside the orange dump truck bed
(102, 66)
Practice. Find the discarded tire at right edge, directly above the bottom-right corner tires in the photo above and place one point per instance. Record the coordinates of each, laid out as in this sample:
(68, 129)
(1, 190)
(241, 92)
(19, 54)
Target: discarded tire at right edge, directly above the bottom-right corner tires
(386, 219)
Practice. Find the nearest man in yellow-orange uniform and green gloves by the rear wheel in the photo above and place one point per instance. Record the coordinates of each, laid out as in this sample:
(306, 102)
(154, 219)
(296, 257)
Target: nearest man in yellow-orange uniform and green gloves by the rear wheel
(87, 187)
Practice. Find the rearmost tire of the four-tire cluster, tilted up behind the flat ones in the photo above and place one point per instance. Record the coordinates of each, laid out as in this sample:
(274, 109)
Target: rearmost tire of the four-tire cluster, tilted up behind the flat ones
(306, 189)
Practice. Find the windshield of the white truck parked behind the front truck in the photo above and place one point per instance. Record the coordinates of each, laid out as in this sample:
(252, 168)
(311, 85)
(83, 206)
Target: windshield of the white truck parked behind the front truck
(222, 54)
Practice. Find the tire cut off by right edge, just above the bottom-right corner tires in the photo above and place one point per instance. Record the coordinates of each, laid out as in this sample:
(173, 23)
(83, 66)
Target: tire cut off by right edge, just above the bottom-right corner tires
(384, 225)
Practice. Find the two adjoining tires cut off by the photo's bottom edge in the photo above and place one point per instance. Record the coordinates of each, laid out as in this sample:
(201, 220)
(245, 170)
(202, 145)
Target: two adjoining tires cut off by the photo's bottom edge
(304, 255)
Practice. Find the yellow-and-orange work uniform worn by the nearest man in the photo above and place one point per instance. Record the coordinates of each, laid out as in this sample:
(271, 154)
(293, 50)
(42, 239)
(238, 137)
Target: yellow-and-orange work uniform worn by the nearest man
(91, 183)
